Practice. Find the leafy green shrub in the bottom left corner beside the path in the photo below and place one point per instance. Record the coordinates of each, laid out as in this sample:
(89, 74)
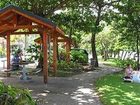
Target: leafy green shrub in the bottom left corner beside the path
(12, 96)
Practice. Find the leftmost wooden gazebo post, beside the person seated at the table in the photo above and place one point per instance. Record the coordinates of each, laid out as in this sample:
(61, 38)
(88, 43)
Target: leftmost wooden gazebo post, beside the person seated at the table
(8, 51)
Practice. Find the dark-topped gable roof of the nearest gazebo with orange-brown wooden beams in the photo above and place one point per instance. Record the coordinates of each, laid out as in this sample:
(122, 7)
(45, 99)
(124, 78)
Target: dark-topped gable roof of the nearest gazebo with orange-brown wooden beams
(13, 18)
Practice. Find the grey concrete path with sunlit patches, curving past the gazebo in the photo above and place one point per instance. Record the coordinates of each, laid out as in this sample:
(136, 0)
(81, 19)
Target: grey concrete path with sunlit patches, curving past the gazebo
(76, 90)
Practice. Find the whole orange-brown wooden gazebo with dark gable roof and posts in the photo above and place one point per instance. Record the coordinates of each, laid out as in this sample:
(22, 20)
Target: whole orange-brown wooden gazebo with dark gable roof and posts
(13, 18)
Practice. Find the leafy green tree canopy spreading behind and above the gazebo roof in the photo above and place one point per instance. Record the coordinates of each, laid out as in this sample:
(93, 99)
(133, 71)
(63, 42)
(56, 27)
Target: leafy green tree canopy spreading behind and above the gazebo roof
(83, 21)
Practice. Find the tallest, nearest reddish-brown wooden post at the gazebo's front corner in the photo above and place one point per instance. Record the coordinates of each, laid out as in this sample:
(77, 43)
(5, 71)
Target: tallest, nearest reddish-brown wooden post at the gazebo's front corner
(45, 57)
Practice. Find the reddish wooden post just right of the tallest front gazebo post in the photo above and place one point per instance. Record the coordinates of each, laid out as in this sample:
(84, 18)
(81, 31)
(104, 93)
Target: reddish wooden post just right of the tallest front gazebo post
(55, 54)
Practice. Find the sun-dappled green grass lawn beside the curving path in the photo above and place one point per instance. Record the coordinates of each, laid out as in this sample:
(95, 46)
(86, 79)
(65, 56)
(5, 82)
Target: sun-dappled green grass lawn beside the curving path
(113, 91)
